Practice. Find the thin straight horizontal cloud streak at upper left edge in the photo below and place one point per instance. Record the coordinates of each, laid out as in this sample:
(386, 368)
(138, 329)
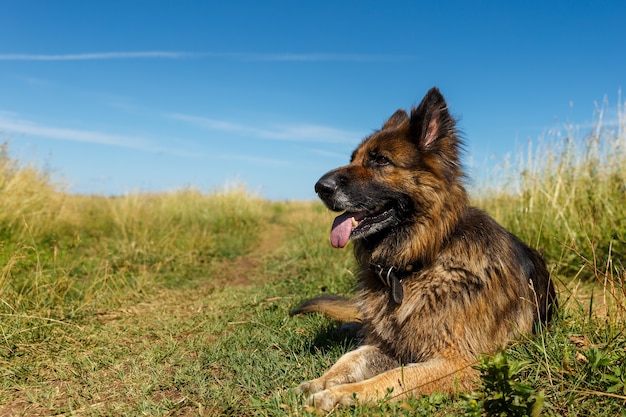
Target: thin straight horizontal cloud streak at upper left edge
(95, 56)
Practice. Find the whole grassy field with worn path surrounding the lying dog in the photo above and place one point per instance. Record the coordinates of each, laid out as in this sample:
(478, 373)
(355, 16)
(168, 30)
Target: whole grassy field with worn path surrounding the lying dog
(178, 303)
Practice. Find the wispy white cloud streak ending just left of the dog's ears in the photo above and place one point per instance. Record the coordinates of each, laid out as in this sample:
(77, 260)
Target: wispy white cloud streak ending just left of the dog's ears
(287, 132)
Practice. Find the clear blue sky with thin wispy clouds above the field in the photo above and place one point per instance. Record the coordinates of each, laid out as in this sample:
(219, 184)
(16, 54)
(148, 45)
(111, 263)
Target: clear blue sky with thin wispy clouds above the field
(126, 96)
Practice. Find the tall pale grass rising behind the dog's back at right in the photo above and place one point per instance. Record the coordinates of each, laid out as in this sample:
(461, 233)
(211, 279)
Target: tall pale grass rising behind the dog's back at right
(566, 195)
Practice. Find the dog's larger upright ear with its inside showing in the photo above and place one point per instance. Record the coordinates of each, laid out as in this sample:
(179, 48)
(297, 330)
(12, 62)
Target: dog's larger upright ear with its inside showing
(431, 120)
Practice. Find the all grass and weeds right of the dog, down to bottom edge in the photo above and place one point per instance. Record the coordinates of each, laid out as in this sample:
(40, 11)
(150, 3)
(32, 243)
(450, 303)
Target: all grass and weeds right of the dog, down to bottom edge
(566, 195)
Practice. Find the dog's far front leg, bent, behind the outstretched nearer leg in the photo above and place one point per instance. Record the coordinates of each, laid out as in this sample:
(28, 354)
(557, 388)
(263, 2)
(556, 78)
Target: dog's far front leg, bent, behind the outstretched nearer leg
(360, 364)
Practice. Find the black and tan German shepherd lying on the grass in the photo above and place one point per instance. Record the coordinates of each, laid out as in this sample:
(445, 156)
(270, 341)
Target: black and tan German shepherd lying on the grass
(439, 282)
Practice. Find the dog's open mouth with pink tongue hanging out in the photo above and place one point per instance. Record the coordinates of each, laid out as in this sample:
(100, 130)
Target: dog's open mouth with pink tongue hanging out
(354, 225)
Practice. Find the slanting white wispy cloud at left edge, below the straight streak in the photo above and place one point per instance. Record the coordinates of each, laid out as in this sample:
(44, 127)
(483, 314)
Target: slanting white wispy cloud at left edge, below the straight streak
(13, 123)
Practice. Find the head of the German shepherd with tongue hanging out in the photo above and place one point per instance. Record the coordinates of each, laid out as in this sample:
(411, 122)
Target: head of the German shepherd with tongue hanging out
(395, 175)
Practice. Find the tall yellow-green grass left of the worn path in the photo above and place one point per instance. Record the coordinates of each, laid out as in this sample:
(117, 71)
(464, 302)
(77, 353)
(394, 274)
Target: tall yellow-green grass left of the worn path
(63, 256)
